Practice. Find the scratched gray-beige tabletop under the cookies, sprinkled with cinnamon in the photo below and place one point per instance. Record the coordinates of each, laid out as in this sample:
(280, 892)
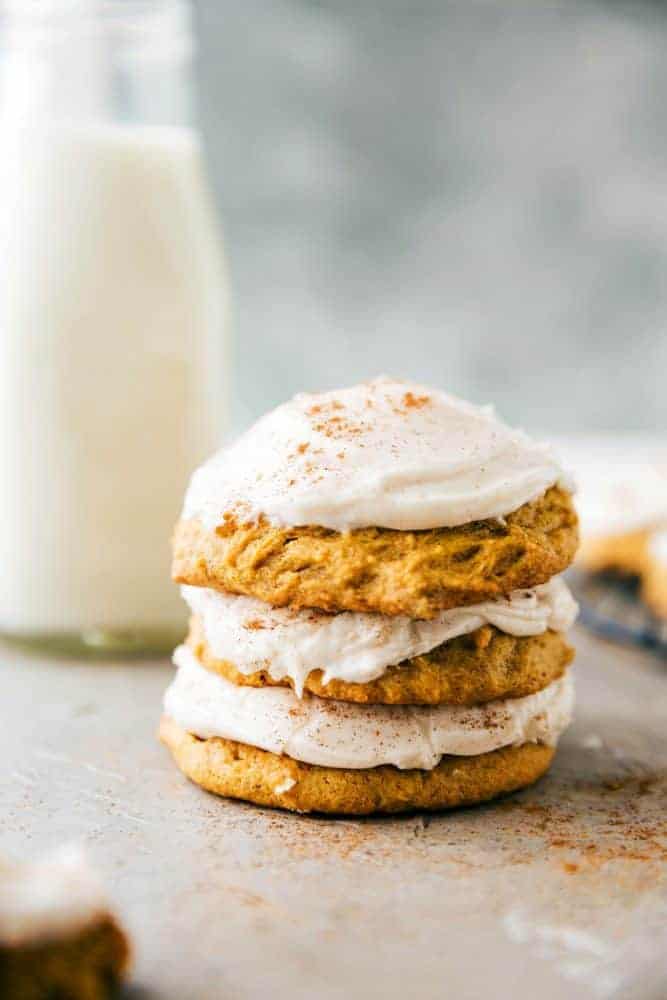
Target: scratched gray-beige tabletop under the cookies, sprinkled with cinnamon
(559, 891)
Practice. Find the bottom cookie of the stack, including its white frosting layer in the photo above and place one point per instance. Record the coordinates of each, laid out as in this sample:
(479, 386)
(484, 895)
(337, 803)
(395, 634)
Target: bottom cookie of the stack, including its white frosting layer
(307, 754)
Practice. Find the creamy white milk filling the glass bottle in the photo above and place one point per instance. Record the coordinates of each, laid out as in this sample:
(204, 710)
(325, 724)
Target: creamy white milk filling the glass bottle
(112, 321)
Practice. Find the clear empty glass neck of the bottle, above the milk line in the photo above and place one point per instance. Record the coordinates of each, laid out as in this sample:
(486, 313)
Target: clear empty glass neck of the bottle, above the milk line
(96, 61)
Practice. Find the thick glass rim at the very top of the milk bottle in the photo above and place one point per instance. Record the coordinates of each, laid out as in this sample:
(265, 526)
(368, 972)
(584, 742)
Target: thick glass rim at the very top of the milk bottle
(157, 27)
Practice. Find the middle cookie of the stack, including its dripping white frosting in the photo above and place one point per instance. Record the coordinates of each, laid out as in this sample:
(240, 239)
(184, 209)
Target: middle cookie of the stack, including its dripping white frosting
(506, 648)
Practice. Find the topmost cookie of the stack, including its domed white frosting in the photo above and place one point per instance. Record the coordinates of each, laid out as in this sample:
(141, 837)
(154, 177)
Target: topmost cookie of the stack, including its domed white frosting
(384, 497)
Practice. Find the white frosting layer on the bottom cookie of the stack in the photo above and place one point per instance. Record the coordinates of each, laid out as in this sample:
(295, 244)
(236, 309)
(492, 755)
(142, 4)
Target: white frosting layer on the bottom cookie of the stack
(341, 734)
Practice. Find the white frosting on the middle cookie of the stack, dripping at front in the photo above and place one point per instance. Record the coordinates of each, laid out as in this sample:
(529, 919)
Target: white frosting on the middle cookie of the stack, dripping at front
(358, 647)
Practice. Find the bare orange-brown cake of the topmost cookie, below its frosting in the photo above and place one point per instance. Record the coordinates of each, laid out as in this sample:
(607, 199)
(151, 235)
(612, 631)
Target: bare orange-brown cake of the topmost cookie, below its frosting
(415, 573)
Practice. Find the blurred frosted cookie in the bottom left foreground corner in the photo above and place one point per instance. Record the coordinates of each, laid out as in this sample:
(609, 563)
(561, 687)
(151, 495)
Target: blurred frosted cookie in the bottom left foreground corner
(58, 937)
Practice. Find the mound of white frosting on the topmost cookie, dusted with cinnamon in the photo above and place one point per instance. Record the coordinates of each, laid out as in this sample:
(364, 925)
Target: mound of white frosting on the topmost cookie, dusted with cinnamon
(384, 453)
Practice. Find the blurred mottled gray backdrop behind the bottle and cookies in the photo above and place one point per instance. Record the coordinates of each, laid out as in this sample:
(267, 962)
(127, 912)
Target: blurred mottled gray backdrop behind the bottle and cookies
(471, 194)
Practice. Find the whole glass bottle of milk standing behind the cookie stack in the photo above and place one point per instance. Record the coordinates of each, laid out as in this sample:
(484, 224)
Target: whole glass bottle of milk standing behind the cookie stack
(112, 319)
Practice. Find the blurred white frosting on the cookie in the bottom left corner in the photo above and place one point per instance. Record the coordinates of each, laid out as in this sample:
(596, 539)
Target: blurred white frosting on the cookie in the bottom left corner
(49, 899)
